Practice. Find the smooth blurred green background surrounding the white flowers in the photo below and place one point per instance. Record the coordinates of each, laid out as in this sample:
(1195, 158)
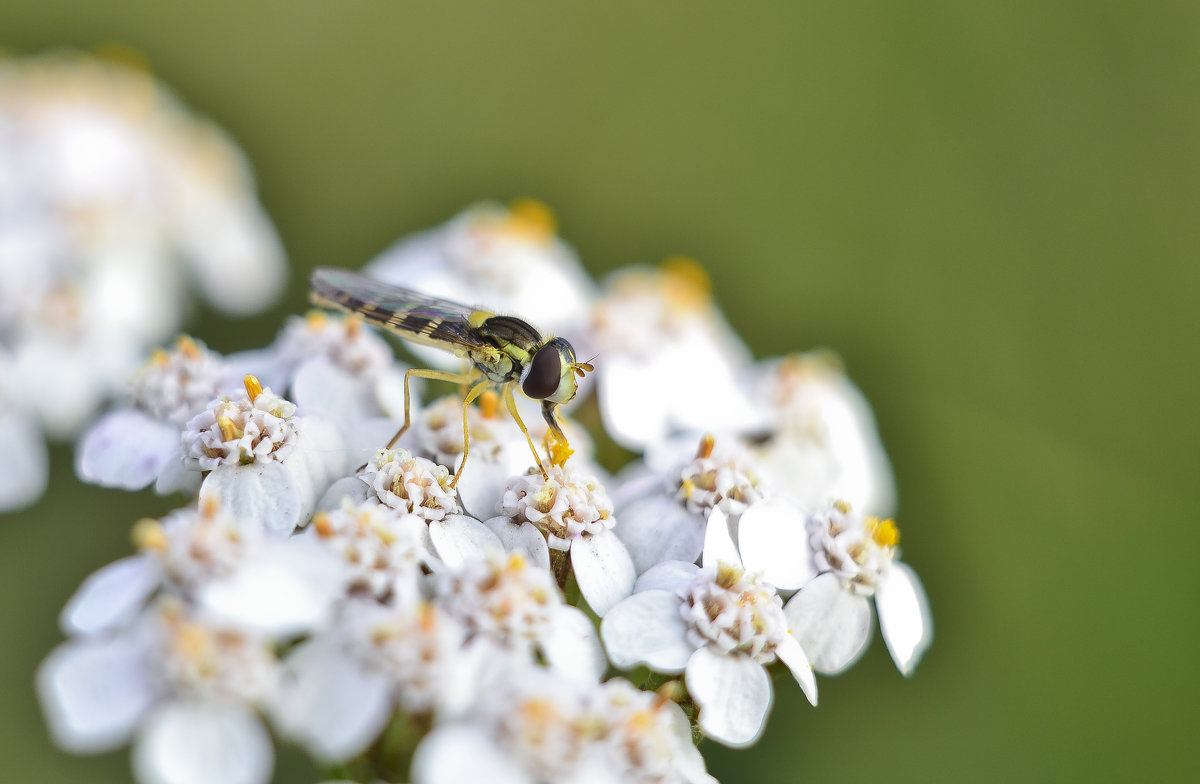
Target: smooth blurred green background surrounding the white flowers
(983, 207)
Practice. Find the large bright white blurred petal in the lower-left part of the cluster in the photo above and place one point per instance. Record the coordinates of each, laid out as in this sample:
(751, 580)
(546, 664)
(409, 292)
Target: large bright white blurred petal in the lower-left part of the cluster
(283, 590)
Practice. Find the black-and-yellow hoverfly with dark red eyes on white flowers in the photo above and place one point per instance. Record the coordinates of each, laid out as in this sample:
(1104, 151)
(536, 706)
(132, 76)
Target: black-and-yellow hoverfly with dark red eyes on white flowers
(503, 351)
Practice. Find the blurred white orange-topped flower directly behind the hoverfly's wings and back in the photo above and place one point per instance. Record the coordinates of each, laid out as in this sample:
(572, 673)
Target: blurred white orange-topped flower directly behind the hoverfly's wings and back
(505, 260)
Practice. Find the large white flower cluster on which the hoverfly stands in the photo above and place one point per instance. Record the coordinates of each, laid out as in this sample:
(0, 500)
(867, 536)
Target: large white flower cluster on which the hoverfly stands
(397, 623)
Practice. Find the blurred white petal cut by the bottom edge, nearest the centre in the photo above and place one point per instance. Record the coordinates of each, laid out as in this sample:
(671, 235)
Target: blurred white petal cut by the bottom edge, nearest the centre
(463, 755)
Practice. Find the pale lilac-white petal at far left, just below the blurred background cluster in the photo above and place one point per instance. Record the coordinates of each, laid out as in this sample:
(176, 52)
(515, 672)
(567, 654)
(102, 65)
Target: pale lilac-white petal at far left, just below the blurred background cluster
(127, 450)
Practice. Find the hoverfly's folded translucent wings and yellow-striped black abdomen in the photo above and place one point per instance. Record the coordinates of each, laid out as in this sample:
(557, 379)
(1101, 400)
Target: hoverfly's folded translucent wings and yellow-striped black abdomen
(413, 316)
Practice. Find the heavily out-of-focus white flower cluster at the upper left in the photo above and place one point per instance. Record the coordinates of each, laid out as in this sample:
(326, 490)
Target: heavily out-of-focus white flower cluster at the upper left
(117, 206)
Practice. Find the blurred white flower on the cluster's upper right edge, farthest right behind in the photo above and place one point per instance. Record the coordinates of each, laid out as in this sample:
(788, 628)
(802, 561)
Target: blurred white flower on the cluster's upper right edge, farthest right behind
(823, 442)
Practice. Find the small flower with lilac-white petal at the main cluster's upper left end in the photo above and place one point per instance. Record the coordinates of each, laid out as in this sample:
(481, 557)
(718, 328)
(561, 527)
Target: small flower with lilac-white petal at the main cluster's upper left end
(140, 444)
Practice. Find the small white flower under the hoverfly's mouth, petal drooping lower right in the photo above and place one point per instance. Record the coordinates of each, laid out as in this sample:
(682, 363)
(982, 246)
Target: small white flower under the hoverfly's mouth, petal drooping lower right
(574, 513)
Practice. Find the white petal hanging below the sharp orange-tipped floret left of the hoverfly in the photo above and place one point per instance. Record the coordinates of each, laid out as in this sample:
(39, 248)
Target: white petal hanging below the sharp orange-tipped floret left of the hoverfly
(260, 494)
